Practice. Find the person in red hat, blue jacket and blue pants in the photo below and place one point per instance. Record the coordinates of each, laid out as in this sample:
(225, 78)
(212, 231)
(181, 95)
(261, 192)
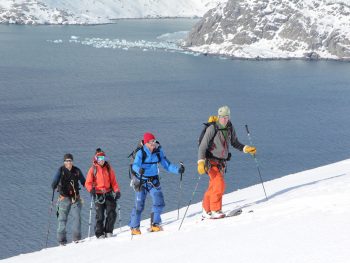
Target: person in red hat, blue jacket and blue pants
(146, 180)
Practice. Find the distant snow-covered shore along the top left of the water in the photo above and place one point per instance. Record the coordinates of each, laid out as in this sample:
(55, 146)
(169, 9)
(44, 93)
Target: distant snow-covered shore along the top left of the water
(97, 11)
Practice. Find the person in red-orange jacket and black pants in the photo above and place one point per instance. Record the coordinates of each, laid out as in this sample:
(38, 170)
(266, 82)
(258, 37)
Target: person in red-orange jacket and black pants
(102, 184)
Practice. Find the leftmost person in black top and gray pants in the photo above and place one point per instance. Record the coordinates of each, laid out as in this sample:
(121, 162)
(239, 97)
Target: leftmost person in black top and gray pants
(67, 181)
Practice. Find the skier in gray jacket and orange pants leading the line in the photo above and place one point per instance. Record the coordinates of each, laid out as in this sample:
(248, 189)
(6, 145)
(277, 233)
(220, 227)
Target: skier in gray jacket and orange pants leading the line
(213, 153)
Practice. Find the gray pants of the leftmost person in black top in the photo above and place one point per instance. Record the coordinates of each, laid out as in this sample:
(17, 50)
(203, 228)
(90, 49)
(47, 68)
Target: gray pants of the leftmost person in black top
(63, 208)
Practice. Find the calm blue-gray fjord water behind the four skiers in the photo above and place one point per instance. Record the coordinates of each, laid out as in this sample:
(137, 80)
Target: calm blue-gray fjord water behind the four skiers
(66, 97)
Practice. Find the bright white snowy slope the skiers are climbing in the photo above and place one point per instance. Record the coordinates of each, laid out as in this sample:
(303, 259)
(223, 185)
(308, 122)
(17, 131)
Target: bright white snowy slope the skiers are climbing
(305, 220)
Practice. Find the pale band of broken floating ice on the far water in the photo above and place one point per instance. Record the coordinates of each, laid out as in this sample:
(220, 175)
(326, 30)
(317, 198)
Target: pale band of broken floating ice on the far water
(170, 42)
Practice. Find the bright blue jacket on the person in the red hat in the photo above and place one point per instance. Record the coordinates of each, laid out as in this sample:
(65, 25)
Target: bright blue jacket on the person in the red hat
(151, 162)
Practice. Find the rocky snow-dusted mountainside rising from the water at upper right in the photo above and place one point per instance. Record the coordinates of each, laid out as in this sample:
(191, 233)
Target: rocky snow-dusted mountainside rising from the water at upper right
(275, 29)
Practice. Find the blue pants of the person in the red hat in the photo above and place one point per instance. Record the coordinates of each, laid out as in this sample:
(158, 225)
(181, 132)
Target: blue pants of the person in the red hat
(157, 206)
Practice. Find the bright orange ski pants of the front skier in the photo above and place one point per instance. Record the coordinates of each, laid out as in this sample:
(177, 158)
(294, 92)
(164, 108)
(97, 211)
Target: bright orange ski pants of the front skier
(212, 200)
